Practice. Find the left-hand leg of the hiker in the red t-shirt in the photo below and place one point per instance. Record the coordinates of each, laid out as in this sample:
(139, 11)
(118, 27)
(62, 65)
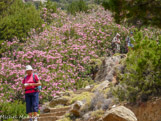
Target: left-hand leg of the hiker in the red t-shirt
(28, 105)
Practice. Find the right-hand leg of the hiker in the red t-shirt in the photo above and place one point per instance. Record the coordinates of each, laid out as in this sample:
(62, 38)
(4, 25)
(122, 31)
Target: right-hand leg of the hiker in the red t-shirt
(35, 101)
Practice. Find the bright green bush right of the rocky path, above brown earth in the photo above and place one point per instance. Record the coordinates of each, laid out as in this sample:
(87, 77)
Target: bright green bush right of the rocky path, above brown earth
(141, 77)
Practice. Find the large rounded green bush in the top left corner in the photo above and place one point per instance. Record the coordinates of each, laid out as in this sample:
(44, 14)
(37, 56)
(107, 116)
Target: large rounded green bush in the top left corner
(19, 19)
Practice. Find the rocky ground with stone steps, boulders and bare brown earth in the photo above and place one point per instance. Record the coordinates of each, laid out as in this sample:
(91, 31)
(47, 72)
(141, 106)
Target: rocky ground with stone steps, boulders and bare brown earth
(96, 103)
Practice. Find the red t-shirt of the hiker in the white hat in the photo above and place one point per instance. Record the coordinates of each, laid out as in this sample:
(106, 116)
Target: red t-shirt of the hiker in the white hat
(29, 79)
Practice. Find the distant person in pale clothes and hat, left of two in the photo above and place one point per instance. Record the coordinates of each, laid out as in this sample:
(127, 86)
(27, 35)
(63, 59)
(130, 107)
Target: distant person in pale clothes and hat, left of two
(116, 42)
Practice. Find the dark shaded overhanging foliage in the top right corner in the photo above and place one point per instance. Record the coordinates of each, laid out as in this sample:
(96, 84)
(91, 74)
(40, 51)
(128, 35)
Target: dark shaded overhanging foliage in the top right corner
(143, 12)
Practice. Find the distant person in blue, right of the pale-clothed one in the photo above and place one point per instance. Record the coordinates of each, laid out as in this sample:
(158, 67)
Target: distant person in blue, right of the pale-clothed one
(129, 40)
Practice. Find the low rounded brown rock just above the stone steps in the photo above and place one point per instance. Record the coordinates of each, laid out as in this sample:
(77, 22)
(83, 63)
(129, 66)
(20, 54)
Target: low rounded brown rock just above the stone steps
(59, 100)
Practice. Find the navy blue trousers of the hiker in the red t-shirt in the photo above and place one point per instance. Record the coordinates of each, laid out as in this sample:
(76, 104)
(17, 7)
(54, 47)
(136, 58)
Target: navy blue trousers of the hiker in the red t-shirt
(32, 102)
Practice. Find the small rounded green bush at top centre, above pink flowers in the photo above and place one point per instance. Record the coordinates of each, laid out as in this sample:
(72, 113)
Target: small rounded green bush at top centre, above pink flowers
(77, 6)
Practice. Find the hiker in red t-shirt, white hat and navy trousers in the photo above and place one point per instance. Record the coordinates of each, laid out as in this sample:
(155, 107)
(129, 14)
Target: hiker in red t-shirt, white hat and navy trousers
(30, 83)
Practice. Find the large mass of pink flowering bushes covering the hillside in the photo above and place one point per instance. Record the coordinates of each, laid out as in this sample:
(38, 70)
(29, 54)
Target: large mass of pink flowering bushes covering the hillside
(60, 54)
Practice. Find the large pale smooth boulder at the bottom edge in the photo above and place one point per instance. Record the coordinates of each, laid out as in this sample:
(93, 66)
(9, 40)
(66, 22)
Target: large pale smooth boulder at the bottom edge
(119, 113)
